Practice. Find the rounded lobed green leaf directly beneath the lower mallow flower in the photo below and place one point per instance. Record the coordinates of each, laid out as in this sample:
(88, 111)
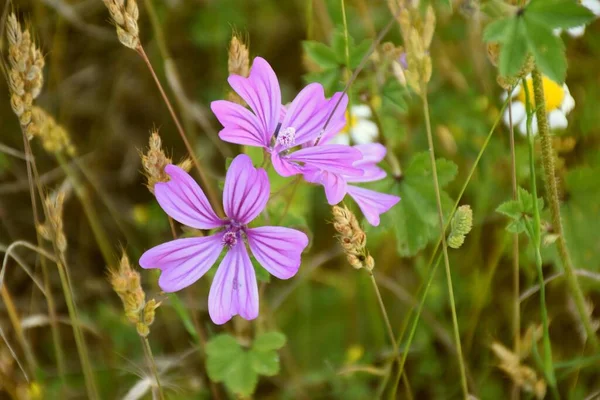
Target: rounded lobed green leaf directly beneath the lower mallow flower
(238, 368)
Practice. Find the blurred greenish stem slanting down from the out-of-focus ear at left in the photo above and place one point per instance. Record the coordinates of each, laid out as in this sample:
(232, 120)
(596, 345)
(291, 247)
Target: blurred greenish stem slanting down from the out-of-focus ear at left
(88, 208)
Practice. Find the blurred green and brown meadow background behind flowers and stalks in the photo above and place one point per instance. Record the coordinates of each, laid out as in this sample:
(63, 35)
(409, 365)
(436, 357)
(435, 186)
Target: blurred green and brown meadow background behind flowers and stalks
(104, 96)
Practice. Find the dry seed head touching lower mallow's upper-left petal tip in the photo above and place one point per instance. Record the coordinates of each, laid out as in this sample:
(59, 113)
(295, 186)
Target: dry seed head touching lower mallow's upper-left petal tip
(155, 160)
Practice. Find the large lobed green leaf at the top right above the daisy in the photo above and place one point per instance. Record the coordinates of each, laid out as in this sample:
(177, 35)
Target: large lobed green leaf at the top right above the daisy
(530, 30)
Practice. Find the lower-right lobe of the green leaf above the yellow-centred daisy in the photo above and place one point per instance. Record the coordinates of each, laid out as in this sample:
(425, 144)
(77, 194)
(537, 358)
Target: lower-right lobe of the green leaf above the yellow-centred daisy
(548, 50)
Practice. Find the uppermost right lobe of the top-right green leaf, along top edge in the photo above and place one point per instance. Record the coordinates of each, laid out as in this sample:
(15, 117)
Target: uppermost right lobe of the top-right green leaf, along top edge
(558, 13)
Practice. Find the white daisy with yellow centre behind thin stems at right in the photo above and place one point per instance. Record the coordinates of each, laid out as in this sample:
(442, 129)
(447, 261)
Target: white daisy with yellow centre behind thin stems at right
(559, 103)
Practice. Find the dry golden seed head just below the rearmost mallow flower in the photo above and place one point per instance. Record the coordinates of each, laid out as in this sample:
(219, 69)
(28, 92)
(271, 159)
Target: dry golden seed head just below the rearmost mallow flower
(352, 238)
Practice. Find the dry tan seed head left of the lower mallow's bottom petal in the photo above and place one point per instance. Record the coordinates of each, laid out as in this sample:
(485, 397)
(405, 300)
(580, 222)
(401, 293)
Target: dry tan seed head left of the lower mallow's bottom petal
(126, 282)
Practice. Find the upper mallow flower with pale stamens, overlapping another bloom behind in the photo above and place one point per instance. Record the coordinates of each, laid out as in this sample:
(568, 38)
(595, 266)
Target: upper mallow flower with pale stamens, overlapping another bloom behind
(271, 126)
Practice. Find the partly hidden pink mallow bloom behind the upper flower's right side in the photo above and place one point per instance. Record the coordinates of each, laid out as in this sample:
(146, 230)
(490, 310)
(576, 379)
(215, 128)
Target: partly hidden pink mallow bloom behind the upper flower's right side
(371, 203)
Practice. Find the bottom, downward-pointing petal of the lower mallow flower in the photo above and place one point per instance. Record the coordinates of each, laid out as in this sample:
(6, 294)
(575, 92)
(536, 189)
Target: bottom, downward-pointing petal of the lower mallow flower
(234, 290)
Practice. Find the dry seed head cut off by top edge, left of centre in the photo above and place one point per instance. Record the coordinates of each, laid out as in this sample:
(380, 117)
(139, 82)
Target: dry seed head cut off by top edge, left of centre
(125, 14)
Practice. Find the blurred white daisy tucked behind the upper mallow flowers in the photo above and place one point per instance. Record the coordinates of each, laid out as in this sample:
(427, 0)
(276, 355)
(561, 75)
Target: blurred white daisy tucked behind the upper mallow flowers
(359, 127)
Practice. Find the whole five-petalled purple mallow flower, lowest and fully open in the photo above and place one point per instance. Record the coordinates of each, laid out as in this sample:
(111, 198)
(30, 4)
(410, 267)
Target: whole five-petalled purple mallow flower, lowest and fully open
(183, 261)
